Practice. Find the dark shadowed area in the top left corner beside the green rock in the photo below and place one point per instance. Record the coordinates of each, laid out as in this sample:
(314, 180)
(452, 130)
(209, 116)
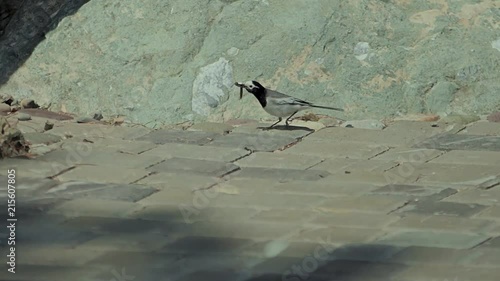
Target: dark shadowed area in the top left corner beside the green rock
(23, 25)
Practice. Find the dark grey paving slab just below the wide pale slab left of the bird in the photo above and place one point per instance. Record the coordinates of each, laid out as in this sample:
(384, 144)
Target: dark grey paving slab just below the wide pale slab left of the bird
(194, 166)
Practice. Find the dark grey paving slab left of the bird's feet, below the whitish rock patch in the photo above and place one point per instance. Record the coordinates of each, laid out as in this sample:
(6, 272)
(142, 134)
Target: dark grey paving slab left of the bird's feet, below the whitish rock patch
(172, 136)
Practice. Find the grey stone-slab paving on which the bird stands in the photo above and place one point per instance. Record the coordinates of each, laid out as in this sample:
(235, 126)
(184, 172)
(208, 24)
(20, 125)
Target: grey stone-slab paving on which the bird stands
(414, 201)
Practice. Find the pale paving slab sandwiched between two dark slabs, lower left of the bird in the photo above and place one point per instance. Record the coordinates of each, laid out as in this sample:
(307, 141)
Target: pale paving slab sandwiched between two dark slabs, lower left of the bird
(212, 153)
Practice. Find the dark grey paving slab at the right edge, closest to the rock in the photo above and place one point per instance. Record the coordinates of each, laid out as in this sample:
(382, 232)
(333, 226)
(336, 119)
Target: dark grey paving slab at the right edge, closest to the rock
(461, 142)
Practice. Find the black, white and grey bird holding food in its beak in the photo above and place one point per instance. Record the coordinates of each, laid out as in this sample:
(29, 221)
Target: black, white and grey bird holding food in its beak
(276, 103)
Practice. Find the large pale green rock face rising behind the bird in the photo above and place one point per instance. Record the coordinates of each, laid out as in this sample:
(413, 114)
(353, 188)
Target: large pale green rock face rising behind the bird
(157, 61)
